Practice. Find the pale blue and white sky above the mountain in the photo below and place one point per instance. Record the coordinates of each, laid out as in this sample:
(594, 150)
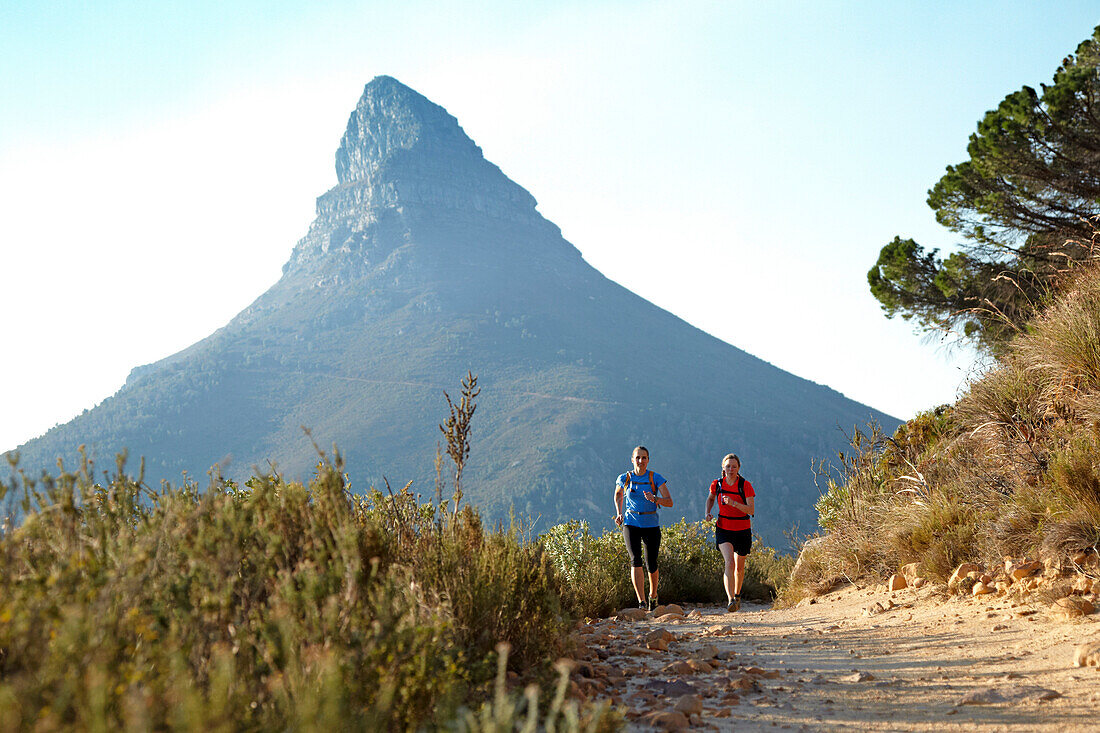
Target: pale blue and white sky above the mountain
(740, 165)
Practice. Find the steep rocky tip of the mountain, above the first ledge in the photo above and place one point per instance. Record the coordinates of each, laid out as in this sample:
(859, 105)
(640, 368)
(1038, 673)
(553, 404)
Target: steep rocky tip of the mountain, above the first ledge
(391, 119)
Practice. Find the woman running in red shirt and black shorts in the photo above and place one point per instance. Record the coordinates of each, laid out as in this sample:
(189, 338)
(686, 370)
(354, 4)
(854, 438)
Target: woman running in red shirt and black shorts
(734, 533)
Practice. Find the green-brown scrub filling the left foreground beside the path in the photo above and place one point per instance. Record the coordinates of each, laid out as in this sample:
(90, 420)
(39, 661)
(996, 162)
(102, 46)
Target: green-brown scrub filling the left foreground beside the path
(268, 606)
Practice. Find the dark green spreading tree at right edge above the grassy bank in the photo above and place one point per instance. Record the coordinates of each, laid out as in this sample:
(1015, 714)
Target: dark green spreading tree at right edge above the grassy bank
(1026, 203)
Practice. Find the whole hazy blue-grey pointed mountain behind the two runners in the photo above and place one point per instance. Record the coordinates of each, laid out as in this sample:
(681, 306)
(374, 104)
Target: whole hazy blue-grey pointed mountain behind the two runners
(426, 261)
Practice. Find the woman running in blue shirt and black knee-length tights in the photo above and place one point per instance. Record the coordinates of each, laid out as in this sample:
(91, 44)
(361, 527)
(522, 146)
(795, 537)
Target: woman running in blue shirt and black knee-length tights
(639, 494)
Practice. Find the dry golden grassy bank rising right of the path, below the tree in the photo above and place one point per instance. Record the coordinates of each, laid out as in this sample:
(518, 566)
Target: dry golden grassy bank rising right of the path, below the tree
(1011, 469)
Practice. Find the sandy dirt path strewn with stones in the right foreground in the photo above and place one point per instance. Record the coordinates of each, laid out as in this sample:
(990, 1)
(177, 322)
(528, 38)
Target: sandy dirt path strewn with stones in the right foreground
(929, 663)
